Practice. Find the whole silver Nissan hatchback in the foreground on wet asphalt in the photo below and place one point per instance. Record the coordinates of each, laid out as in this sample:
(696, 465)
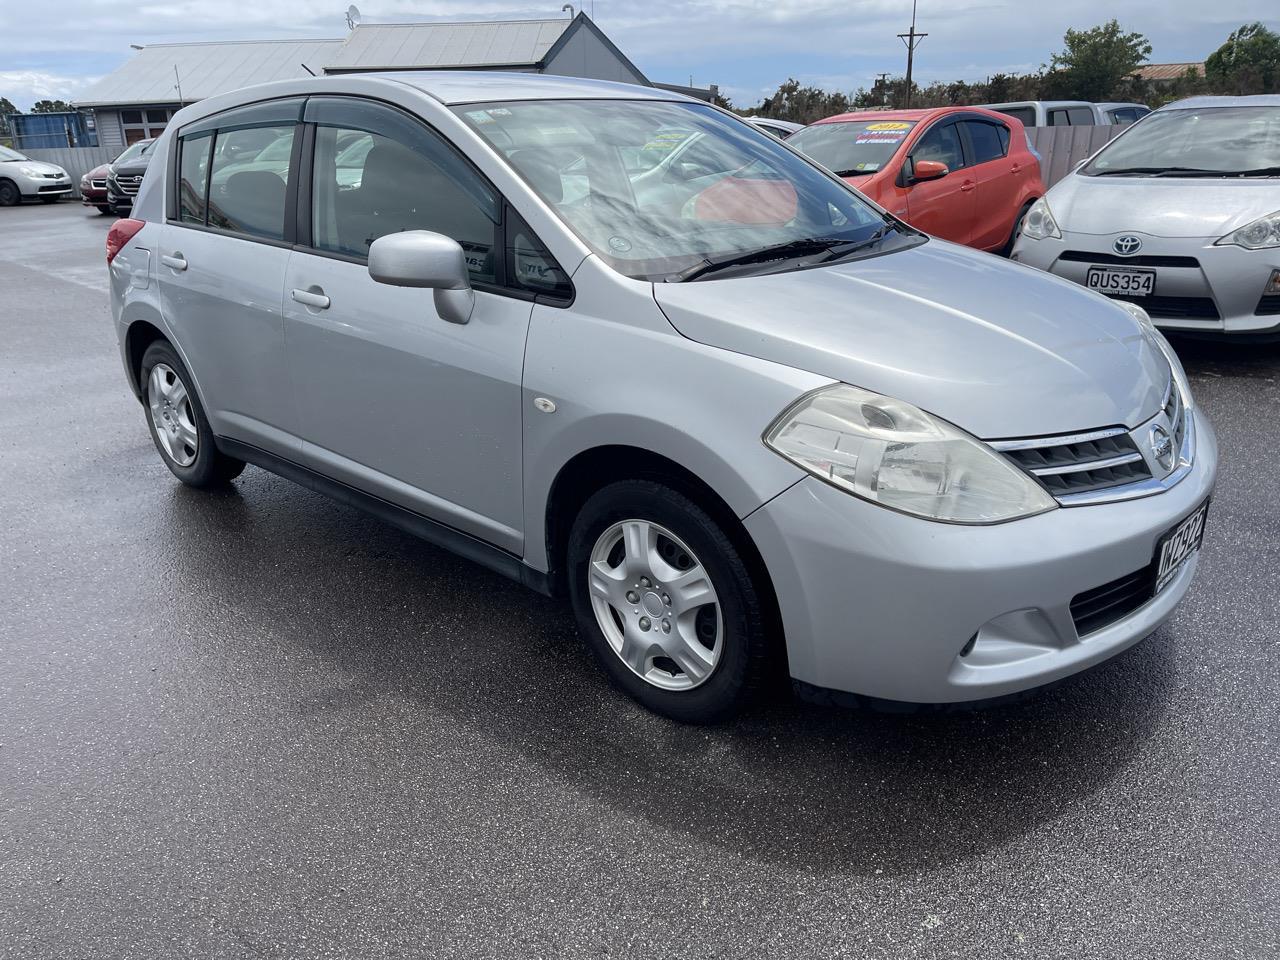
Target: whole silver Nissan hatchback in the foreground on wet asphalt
(624, 346)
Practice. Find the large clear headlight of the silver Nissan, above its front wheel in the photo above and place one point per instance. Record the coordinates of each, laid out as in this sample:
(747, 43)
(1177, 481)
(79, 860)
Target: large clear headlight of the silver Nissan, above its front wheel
(898, 456)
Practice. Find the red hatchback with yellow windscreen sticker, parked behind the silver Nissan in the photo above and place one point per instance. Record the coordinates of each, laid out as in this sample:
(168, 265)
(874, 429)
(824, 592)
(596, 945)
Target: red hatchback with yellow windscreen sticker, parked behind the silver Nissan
(962, 173)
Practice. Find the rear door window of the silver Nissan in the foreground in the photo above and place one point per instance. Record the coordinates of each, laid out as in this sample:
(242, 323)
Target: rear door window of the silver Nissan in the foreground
(248, 194)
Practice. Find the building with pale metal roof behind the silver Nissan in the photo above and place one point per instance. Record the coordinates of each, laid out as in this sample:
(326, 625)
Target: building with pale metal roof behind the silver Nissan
(138, 100)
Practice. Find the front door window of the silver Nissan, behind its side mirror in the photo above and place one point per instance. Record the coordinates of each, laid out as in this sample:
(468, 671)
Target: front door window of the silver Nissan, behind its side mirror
(386, 173)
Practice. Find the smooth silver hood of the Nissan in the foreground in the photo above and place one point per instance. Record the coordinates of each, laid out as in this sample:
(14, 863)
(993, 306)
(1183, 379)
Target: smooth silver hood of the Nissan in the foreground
(998, 349)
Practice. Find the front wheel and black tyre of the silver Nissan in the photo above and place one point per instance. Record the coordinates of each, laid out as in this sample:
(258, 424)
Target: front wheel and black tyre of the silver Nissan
(666, 602)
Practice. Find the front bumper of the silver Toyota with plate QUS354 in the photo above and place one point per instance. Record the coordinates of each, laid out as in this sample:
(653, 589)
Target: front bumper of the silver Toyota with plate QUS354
(1212, 290)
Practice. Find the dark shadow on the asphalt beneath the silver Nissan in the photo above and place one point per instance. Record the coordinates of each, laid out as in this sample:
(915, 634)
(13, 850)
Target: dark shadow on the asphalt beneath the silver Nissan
(824, 790)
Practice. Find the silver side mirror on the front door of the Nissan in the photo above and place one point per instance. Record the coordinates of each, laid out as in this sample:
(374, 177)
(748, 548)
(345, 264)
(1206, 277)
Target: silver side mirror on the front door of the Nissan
(426, 259)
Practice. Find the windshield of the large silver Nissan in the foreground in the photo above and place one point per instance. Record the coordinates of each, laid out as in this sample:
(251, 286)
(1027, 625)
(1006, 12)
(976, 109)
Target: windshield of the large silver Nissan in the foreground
(660, 189)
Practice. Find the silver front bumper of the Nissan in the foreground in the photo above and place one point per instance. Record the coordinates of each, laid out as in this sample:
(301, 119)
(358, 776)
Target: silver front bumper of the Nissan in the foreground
(883, 605)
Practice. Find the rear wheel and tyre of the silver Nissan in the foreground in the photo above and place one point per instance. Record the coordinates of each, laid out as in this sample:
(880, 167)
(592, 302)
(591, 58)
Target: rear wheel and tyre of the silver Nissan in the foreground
(177, 422)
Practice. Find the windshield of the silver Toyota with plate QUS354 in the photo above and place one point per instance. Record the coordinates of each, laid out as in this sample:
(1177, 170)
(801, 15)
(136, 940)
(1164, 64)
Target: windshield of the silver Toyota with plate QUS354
(1215, 141)
